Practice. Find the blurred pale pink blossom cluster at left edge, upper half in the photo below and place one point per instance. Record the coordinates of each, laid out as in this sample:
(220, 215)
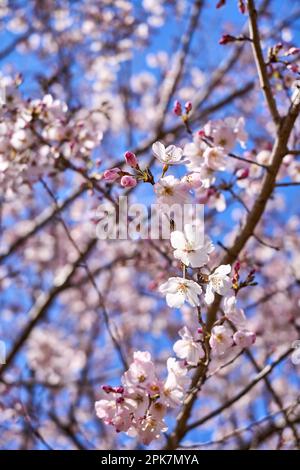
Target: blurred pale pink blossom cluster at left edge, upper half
(39, 137)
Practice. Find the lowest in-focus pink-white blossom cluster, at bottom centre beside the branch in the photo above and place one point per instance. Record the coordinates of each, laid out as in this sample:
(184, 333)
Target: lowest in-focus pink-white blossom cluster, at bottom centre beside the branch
(138, 406)
